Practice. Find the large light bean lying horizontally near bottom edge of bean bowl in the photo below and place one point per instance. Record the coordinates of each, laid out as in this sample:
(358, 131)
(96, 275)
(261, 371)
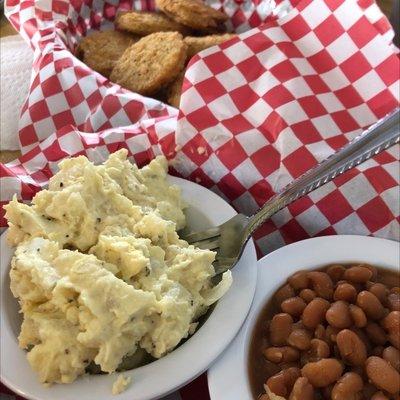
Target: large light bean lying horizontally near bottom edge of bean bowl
(323, 372)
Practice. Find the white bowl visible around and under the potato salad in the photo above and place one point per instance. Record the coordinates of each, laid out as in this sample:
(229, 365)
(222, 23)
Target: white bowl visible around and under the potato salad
(166, 374)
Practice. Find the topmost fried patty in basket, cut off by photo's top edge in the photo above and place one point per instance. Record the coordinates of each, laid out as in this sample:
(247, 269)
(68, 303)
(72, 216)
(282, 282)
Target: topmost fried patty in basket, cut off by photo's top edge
(193, 13)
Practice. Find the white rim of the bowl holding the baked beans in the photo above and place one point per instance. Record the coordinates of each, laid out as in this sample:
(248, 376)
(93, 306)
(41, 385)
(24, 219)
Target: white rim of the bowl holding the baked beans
(228, 377)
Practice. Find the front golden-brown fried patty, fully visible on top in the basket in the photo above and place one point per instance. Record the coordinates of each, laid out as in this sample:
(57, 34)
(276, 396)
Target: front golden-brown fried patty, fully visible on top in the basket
(151, 63)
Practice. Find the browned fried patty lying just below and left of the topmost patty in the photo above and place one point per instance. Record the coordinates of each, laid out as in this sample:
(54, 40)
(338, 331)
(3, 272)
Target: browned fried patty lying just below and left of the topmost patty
(145, 23)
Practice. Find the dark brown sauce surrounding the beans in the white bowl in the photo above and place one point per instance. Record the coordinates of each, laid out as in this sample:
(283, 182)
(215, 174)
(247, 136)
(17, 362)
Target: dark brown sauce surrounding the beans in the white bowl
(259, 368)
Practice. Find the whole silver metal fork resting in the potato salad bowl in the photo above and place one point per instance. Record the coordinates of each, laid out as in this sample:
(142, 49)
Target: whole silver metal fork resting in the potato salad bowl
(230, 238)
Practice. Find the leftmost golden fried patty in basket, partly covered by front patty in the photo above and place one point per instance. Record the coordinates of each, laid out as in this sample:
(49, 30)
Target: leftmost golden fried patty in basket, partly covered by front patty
(101, 50)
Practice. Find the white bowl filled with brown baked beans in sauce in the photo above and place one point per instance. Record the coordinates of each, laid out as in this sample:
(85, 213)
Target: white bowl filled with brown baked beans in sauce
(325, 324)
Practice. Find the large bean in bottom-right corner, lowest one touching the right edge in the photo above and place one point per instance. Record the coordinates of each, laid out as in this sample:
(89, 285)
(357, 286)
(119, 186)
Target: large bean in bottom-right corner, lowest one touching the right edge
(382, 374)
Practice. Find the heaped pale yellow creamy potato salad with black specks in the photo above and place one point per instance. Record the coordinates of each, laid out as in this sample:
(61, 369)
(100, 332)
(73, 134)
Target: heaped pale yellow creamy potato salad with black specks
(99, 269)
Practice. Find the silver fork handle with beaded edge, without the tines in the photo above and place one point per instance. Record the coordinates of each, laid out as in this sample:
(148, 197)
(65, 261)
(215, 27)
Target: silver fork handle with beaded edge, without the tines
(378, 137)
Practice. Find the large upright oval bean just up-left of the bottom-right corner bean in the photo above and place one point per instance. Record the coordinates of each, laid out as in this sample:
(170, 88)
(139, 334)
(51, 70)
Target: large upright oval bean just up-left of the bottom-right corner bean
(351, 347)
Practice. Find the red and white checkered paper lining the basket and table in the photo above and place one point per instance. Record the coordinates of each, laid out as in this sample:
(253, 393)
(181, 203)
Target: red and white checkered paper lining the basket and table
(256, 111)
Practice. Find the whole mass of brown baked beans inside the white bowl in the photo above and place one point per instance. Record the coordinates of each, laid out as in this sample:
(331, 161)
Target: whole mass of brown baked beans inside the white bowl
(335, 321)
